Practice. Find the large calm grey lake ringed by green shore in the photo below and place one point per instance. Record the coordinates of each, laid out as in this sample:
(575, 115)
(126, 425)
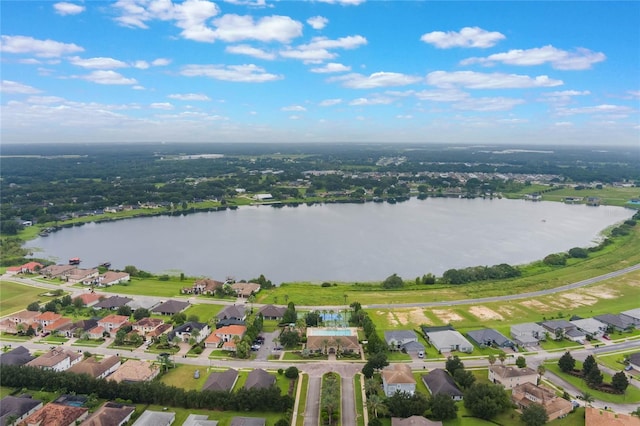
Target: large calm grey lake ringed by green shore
(337, 242)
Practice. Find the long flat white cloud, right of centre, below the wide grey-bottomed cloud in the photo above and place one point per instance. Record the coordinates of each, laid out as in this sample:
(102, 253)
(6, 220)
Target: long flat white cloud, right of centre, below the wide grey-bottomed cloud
(476, 80)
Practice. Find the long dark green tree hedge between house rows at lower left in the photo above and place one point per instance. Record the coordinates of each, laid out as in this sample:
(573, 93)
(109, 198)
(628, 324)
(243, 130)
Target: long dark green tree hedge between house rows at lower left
(153, 392)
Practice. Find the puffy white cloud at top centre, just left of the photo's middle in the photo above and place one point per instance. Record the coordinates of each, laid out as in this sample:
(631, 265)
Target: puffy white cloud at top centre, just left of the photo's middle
(233, 28)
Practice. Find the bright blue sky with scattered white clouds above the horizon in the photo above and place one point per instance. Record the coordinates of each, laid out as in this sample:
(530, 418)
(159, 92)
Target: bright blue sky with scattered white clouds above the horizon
(558, 73)
